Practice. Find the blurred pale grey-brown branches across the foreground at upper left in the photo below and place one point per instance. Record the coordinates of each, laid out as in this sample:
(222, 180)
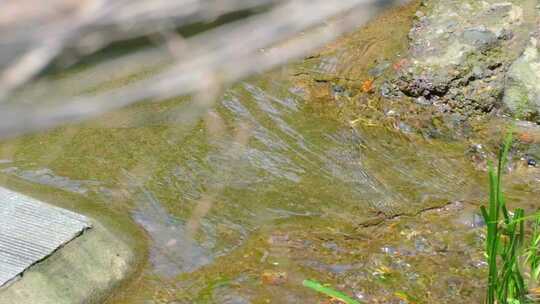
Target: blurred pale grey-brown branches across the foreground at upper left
(34, 37)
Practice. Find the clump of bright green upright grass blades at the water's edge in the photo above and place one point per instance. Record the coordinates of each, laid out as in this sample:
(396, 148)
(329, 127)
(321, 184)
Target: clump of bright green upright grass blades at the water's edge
(507, 255)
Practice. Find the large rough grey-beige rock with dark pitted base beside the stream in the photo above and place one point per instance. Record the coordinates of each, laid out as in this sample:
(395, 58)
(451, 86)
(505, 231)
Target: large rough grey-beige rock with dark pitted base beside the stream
(460, 51)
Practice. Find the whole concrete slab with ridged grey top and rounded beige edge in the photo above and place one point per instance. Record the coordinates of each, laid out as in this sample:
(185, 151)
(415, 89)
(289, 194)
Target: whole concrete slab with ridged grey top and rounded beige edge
(50, 255)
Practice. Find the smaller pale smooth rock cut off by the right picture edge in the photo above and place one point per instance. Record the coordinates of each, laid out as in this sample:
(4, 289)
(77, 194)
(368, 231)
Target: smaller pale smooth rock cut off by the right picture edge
(522, 95)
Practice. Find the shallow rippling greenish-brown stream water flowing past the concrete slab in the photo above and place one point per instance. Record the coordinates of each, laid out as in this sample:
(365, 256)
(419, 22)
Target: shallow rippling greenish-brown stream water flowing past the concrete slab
(265, 189)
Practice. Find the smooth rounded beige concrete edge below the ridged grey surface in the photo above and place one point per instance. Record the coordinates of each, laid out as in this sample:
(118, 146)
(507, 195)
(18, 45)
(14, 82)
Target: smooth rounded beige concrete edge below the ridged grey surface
(86, 270)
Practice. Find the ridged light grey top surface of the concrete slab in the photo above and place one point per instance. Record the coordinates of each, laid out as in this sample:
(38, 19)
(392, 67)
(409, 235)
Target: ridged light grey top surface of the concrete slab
(31, 230)
